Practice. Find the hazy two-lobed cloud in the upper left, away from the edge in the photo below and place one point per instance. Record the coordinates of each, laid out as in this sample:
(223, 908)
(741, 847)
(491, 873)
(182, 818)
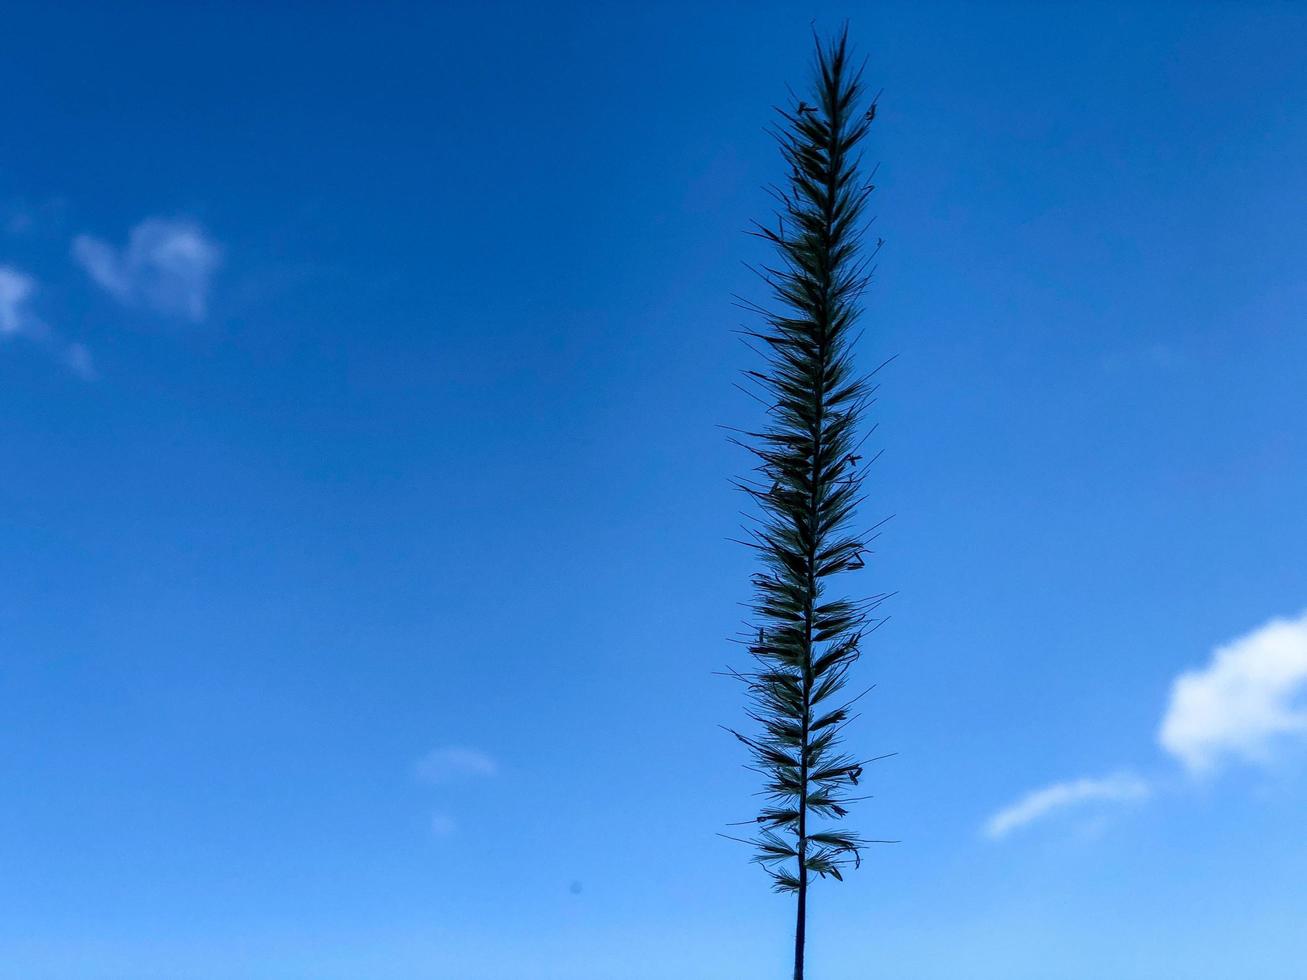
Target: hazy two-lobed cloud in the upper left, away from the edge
(168, 266)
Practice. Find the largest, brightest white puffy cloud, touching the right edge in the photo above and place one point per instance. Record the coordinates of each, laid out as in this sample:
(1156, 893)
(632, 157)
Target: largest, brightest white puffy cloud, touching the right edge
(1246, 702)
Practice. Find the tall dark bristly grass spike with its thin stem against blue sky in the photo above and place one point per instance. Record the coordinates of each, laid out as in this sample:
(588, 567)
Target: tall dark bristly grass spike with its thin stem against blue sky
(808, 484)
